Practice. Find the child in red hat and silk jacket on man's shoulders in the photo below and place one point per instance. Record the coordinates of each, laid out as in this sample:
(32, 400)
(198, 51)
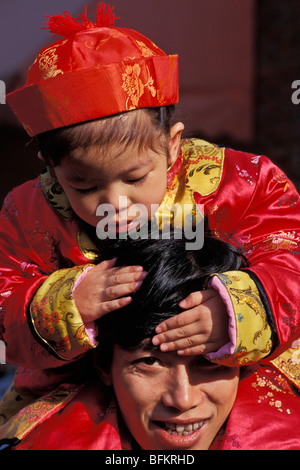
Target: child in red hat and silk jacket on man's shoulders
(99, 101)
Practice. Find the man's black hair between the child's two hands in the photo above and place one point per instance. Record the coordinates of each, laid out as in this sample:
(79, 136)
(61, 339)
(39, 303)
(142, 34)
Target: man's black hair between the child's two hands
(173, 273)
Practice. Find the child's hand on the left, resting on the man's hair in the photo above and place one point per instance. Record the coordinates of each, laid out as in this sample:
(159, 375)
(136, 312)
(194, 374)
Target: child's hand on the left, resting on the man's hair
(106, 288)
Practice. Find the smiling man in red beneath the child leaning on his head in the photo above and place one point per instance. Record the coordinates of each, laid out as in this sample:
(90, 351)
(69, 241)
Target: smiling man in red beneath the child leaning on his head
(139, 397)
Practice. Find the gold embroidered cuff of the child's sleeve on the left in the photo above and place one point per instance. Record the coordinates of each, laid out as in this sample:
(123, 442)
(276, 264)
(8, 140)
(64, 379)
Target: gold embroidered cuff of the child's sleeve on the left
(55, 317)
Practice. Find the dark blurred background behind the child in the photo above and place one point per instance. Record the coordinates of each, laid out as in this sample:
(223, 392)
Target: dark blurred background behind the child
(238, 60)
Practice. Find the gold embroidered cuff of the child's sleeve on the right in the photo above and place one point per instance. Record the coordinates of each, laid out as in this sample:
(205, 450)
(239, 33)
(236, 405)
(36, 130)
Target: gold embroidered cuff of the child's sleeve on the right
(252, 340)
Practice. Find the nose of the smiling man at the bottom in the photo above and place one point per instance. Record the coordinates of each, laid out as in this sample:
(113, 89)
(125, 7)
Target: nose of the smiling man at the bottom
(180, 392)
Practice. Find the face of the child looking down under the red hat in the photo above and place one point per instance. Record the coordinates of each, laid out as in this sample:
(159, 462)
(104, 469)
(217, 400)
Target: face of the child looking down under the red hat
(95, 179)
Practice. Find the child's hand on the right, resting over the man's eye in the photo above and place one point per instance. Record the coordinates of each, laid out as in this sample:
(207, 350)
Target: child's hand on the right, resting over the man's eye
(202, 328)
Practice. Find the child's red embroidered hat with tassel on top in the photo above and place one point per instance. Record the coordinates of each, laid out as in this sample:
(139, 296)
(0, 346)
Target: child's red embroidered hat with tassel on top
(96, 70)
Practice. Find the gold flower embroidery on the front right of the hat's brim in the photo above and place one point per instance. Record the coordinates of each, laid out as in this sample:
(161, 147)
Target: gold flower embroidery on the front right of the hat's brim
(134, 86)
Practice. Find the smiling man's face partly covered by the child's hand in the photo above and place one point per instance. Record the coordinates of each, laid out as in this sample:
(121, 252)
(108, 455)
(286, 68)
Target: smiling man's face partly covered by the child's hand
(170, 402)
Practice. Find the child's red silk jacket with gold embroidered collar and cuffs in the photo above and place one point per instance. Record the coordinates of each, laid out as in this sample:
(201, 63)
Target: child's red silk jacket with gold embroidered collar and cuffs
(247, 201)
